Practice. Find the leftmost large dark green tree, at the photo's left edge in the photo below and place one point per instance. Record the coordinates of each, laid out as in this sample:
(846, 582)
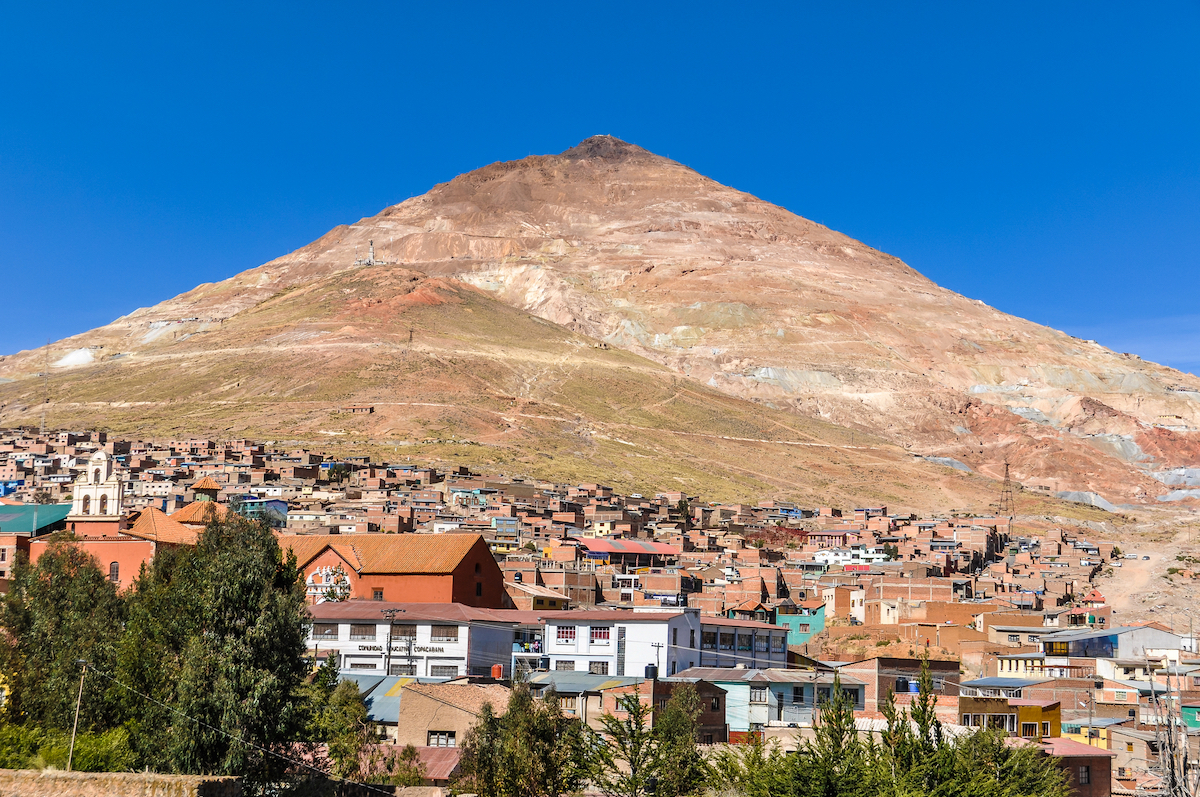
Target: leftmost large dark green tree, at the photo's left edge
(58, 613)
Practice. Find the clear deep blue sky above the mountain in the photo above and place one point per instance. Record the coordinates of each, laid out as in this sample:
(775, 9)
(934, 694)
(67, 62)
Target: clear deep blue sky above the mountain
(1043, 158)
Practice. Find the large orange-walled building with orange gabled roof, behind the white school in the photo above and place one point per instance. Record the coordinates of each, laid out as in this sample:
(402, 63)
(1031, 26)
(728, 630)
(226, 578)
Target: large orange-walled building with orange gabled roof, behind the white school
(401, 568)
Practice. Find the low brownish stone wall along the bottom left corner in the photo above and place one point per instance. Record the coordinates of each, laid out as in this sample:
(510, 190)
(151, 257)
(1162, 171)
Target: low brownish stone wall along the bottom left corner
(53, 783)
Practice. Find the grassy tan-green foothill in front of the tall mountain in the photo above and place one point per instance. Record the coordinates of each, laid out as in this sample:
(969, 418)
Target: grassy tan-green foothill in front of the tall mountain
(479, 383)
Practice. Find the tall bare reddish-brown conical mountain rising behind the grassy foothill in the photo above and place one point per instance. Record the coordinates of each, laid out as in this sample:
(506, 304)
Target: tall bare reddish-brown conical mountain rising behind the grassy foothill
(716, 287)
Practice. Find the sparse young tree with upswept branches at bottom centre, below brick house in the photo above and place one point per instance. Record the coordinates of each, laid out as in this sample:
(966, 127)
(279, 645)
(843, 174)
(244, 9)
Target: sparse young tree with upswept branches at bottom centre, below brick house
(627, 753)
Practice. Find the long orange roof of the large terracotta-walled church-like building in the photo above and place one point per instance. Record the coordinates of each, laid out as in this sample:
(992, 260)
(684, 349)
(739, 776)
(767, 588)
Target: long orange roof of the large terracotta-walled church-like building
(434, 554)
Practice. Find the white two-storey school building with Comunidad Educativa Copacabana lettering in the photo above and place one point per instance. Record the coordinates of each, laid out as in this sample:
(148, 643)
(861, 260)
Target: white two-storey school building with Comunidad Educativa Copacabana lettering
(423, 640)
